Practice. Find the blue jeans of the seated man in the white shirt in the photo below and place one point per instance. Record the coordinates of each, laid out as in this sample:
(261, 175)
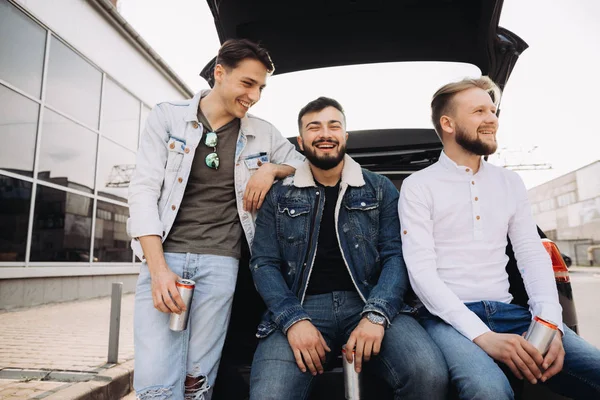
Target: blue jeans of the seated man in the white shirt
(477, 376)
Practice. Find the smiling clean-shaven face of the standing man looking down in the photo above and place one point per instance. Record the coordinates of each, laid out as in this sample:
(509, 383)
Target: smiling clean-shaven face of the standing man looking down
(241, 87)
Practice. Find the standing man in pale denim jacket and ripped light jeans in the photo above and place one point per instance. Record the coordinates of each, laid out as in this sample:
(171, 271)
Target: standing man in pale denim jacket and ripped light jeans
(203, 168)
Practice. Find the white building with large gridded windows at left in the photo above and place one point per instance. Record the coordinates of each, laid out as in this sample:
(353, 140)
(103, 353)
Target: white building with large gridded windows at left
(76, 85)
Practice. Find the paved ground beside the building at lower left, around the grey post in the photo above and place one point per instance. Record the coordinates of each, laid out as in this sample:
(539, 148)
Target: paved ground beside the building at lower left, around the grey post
(59, 343)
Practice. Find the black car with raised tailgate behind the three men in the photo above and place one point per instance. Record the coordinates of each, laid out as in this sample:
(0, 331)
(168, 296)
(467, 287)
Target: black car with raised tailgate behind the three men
(302, 36)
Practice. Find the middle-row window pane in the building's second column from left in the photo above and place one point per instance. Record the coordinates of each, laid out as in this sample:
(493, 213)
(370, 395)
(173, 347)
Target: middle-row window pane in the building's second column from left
(67, 153)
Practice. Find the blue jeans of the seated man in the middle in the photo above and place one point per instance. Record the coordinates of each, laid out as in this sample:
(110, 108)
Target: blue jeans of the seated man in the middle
(409, 360)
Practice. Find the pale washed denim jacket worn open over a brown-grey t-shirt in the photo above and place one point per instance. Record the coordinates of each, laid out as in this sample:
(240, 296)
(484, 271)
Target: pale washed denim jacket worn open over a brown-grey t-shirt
(164, 161)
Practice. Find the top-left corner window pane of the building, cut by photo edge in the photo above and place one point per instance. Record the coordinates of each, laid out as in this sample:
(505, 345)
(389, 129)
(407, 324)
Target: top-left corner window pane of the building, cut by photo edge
(22, 44)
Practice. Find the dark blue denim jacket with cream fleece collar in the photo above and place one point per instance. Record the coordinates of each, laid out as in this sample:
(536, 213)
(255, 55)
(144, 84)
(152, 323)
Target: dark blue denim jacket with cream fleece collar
(368, 232)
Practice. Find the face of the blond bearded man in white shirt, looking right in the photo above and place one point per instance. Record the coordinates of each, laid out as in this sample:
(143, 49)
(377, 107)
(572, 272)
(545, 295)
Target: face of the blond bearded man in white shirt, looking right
(473, 121)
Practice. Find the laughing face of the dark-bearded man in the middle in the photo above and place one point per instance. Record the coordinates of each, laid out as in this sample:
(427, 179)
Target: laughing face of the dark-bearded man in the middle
(323, 137)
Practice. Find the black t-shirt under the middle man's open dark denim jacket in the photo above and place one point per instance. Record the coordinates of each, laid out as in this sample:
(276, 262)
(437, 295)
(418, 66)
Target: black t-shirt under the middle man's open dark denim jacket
(329, 272)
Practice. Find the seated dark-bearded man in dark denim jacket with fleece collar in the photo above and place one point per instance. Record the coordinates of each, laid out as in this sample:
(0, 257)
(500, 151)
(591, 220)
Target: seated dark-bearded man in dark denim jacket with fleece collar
(327, 261)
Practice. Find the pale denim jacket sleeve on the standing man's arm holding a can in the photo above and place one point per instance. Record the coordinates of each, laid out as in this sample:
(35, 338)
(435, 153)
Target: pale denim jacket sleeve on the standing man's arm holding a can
(147, 180)
